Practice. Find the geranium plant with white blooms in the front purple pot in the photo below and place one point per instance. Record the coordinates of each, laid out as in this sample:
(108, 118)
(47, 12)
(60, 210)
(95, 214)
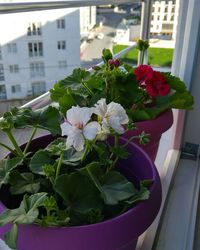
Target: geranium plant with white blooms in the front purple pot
(74, 180)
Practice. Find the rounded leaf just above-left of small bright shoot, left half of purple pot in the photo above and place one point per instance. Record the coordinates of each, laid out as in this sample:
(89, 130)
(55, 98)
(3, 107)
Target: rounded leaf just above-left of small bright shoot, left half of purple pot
(39, 160)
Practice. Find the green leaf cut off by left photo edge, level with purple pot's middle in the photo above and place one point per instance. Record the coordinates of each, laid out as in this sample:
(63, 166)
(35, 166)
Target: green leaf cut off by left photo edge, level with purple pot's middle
(6, 166)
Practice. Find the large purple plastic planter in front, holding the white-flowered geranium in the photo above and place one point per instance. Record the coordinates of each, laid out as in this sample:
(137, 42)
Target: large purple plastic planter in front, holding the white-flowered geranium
(119, 233)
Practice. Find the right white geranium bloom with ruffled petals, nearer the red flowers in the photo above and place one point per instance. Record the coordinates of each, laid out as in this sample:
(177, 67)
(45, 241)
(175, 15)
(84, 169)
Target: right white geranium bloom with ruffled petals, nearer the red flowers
(113, 116)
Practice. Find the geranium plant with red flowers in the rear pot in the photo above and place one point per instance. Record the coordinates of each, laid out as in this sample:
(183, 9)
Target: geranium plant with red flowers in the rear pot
(142, 91)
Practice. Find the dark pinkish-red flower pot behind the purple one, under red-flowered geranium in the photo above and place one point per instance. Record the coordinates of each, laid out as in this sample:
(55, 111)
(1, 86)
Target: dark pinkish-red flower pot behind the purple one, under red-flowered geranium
(155, 128)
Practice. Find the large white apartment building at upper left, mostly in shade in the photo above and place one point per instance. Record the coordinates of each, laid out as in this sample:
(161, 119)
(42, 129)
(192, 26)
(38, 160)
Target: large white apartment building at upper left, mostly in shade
(39, 48)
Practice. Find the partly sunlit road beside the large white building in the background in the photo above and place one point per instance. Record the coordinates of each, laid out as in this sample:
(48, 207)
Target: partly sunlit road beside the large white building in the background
(92, 53)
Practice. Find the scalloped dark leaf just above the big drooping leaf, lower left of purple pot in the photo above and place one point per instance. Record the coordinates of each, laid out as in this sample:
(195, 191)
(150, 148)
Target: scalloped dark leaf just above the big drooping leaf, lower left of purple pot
(22, 183)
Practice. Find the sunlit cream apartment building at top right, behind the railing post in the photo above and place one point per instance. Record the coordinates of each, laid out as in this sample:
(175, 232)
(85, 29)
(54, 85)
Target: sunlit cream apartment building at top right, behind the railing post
(164, 18)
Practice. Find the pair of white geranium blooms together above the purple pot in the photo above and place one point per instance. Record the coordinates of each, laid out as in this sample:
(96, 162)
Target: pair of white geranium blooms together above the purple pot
(78, 126)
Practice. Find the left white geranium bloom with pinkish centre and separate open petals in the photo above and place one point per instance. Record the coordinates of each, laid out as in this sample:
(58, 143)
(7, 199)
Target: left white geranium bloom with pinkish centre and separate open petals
(77, 128)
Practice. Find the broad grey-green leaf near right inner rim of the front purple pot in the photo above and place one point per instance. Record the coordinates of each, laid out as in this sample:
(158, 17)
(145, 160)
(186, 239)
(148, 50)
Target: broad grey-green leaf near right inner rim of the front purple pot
(117, 188)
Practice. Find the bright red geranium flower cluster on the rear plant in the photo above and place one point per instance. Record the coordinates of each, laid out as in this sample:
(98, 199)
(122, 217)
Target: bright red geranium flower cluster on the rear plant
(153, 81)
